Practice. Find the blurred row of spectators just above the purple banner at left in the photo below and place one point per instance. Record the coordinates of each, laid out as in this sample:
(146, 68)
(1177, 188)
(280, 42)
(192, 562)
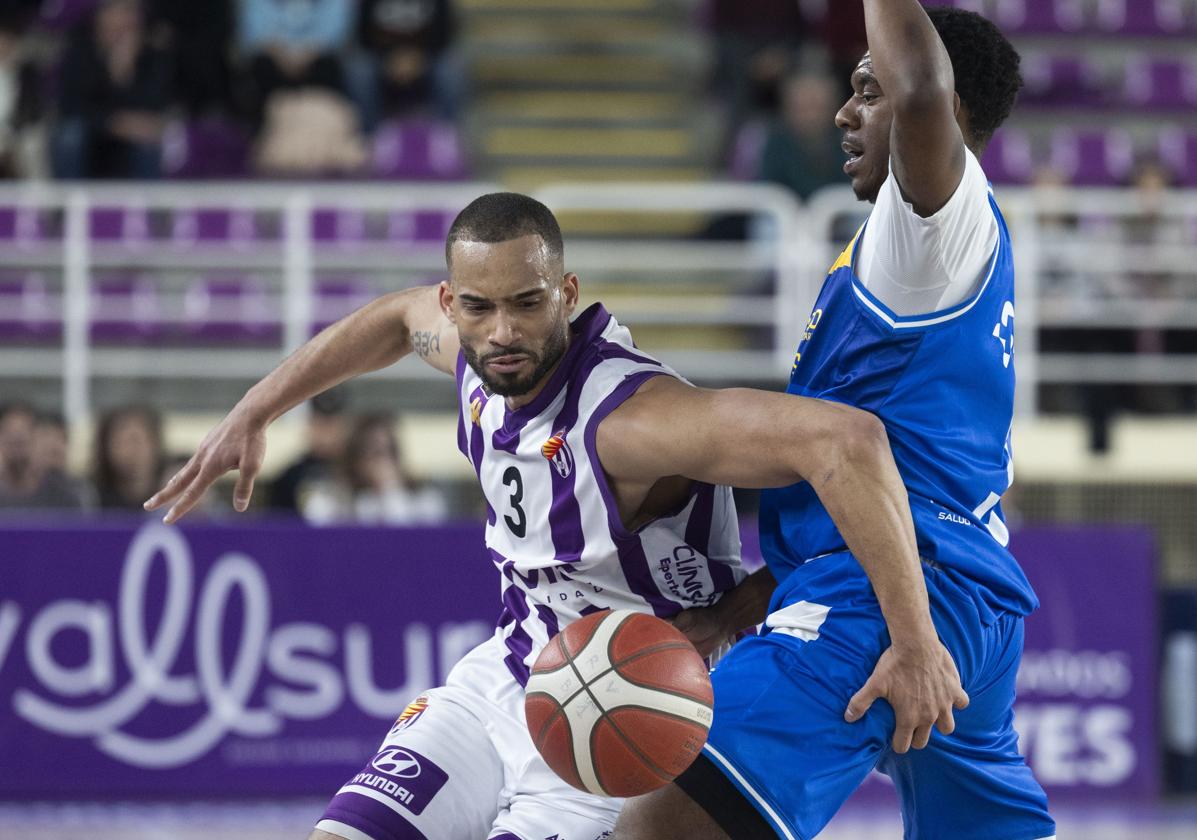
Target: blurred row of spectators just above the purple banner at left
(353, 470)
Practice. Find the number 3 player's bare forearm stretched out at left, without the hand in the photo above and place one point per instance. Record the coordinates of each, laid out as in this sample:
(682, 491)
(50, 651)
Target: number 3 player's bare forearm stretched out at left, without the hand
(372, 338)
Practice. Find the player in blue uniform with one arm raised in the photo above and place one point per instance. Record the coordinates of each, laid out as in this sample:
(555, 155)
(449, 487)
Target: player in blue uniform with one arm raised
(914, 324)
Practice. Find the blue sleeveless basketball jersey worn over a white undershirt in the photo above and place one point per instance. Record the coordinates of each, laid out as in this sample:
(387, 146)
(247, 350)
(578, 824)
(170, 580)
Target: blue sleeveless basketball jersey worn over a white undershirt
(944, 386)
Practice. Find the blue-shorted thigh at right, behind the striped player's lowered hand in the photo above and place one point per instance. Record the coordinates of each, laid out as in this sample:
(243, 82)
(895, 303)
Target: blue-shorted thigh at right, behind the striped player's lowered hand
(974, 784)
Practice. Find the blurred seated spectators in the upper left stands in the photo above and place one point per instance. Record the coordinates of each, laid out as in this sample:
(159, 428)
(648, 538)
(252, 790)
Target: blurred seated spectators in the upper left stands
(89, 88)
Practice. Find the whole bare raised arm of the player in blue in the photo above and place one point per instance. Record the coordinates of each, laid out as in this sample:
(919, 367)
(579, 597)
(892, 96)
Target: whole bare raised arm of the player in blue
(914, 72)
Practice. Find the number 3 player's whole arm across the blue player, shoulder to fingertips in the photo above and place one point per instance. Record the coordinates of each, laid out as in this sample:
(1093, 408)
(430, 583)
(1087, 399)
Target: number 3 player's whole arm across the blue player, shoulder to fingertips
(752, 439)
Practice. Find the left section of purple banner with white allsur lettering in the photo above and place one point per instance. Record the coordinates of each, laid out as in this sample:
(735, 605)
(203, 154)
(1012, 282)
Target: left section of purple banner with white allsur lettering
(215, 661)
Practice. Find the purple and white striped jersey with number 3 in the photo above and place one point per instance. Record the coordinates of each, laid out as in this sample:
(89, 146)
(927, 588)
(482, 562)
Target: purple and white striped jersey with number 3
(554, 529)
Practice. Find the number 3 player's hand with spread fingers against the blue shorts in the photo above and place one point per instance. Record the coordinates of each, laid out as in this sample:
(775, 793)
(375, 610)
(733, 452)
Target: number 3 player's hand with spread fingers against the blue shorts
(923, 686)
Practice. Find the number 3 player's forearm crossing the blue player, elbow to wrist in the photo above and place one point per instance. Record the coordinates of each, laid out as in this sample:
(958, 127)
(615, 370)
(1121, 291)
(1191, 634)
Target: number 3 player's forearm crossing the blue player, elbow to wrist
(865, 496)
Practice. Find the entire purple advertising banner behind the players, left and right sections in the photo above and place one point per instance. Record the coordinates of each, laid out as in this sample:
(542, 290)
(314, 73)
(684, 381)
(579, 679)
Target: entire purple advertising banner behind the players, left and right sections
(271, 660)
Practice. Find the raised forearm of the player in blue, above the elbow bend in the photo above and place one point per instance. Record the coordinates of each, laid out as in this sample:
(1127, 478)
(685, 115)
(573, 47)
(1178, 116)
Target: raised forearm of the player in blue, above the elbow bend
(909, 58)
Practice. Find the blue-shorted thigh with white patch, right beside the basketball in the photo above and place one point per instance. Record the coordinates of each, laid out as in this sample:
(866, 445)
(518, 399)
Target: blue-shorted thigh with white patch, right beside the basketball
(780, 738)
